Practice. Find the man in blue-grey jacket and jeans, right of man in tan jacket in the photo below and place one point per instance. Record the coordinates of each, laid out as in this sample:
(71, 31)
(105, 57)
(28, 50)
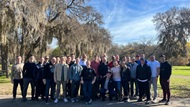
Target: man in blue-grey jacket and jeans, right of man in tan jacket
(74, 76)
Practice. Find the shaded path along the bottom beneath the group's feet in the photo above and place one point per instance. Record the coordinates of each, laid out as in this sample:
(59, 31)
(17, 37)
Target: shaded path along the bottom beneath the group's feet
(5, 101)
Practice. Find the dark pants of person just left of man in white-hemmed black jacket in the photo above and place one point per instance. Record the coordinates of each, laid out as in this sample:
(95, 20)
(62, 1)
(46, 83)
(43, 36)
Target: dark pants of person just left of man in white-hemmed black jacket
(134, 82)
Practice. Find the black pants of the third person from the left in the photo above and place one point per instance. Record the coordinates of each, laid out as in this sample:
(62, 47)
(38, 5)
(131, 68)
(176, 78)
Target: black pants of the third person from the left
(40, 89)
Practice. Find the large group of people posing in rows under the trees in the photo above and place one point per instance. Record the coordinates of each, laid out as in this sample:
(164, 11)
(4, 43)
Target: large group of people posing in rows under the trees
(119, 79)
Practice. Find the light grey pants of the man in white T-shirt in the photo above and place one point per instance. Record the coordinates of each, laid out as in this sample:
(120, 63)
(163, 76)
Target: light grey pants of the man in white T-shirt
(154, 83)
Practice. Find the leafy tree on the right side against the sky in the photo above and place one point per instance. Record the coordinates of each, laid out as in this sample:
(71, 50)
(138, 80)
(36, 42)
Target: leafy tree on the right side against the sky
(173, 28)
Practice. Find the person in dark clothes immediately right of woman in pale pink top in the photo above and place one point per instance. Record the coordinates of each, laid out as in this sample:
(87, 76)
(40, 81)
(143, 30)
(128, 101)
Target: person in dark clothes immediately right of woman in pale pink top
(125, 78)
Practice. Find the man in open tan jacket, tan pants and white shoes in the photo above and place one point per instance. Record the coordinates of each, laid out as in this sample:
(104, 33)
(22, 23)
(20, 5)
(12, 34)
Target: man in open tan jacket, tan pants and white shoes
(61, 77)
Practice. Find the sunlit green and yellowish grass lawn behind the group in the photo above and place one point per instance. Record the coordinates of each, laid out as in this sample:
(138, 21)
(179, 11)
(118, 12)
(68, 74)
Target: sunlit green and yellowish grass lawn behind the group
(180, 83)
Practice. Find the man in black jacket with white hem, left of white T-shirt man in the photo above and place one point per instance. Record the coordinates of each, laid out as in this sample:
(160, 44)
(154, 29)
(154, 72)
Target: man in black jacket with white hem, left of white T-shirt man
(143, 75)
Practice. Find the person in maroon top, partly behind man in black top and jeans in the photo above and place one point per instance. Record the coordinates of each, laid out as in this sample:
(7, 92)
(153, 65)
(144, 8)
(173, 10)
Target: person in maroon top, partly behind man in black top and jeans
(95, 64)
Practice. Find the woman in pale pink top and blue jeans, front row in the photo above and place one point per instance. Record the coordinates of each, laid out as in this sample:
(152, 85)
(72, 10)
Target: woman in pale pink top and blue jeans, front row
(116, 73)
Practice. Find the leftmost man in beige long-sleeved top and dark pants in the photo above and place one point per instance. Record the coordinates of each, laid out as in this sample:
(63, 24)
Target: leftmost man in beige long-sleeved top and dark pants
(17, 76)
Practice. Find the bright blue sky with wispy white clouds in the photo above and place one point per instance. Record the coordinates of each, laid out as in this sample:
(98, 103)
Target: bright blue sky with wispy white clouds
(131, 20)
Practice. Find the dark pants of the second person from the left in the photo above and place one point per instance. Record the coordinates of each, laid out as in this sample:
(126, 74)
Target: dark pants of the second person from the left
(26, 81)
